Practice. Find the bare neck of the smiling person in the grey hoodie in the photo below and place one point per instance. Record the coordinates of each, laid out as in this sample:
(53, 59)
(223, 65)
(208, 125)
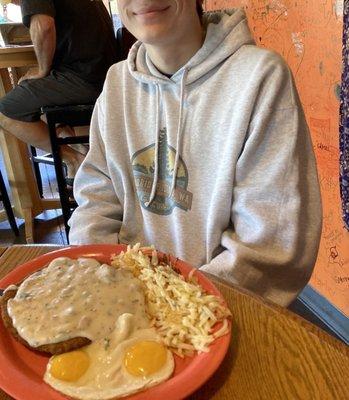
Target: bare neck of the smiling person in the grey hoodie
(170, 57)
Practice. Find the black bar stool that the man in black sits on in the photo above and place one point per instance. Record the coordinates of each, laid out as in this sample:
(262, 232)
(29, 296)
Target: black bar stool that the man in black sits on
(72, 115)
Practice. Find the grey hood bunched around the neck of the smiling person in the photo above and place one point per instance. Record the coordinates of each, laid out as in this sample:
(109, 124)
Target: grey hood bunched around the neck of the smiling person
(226, 32)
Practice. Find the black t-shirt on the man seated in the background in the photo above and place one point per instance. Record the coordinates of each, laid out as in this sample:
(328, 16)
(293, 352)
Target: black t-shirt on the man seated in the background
(85, 40)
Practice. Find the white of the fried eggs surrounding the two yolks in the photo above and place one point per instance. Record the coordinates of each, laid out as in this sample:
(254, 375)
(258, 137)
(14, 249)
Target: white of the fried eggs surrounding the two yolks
(106, 377)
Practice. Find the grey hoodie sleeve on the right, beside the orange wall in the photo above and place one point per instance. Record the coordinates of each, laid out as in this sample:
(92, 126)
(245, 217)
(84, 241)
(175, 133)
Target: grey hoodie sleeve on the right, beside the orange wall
(276, 214)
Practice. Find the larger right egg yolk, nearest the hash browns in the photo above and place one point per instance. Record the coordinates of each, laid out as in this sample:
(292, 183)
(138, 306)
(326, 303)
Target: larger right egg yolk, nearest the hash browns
(145, 358)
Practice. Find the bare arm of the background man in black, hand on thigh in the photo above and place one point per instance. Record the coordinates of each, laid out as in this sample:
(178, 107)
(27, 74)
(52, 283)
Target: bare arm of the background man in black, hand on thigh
(43, 36)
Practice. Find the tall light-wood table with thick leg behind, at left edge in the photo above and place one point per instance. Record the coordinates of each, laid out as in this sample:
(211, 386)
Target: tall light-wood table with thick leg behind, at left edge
(26, 199)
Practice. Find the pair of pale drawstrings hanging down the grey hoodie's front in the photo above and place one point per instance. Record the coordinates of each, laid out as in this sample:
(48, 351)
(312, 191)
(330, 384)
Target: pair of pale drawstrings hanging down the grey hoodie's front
(179, 139)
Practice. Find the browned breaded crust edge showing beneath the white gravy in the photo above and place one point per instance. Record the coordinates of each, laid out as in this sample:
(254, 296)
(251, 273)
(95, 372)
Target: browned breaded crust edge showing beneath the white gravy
(54, 348)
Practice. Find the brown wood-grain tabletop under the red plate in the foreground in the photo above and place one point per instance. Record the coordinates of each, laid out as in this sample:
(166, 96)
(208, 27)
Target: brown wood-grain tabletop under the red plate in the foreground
(273, 355)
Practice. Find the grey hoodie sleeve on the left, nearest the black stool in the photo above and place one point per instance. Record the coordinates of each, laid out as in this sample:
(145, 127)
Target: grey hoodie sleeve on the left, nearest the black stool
(98, 216)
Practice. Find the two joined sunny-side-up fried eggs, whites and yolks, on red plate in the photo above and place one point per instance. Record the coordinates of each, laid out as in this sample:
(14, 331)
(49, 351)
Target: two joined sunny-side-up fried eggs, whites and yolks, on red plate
(125, 362)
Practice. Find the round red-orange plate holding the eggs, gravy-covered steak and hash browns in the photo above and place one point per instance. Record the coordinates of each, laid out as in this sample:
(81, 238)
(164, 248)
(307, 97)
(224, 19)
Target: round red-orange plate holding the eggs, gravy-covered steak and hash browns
(21, 370)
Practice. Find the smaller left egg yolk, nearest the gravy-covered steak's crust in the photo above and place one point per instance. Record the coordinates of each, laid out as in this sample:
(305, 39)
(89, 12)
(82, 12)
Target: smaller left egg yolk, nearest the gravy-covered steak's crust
(70, 366)
